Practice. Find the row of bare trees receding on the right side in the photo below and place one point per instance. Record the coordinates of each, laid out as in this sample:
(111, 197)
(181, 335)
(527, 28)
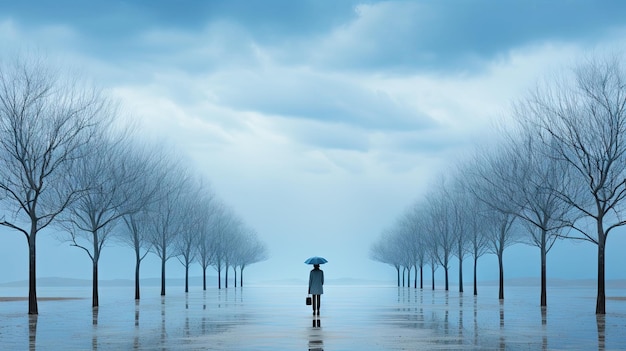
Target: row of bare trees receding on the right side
(556, 171)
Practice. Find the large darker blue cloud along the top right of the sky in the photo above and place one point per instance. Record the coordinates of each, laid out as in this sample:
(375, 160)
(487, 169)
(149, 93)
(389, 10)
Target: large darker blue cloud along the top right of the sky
(449, 36)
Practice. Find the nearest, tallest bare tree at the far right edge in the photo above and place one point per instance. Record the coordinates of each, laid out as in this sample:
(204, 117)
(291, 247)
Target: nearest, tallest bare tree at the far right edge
(584, 122)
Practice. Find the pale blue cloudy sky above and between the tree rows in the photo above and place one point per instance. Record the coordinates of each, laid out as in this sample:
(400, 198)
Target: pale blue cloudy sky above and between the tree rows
(319, 122)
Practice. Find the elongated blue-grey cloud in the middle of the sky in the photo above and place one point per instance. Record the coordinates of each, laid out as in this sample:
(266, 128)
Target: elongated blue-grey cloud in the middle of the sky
(301, 93)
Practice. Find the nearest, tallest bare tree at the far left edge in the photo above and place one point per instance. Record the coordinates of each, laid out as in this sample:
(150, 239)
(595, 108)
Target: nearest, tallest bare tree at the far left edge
(45, 123)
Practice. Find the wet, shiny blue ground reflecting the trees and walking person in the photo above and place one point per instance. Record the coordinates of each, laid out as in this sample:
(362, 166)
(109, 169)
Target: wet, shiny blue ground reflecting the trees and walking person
(275, 318)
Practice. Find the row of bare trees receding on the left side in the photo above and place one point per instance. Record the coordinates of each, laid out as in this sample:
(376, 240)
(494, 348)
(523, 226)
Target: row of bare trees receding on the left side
(68, 162)
